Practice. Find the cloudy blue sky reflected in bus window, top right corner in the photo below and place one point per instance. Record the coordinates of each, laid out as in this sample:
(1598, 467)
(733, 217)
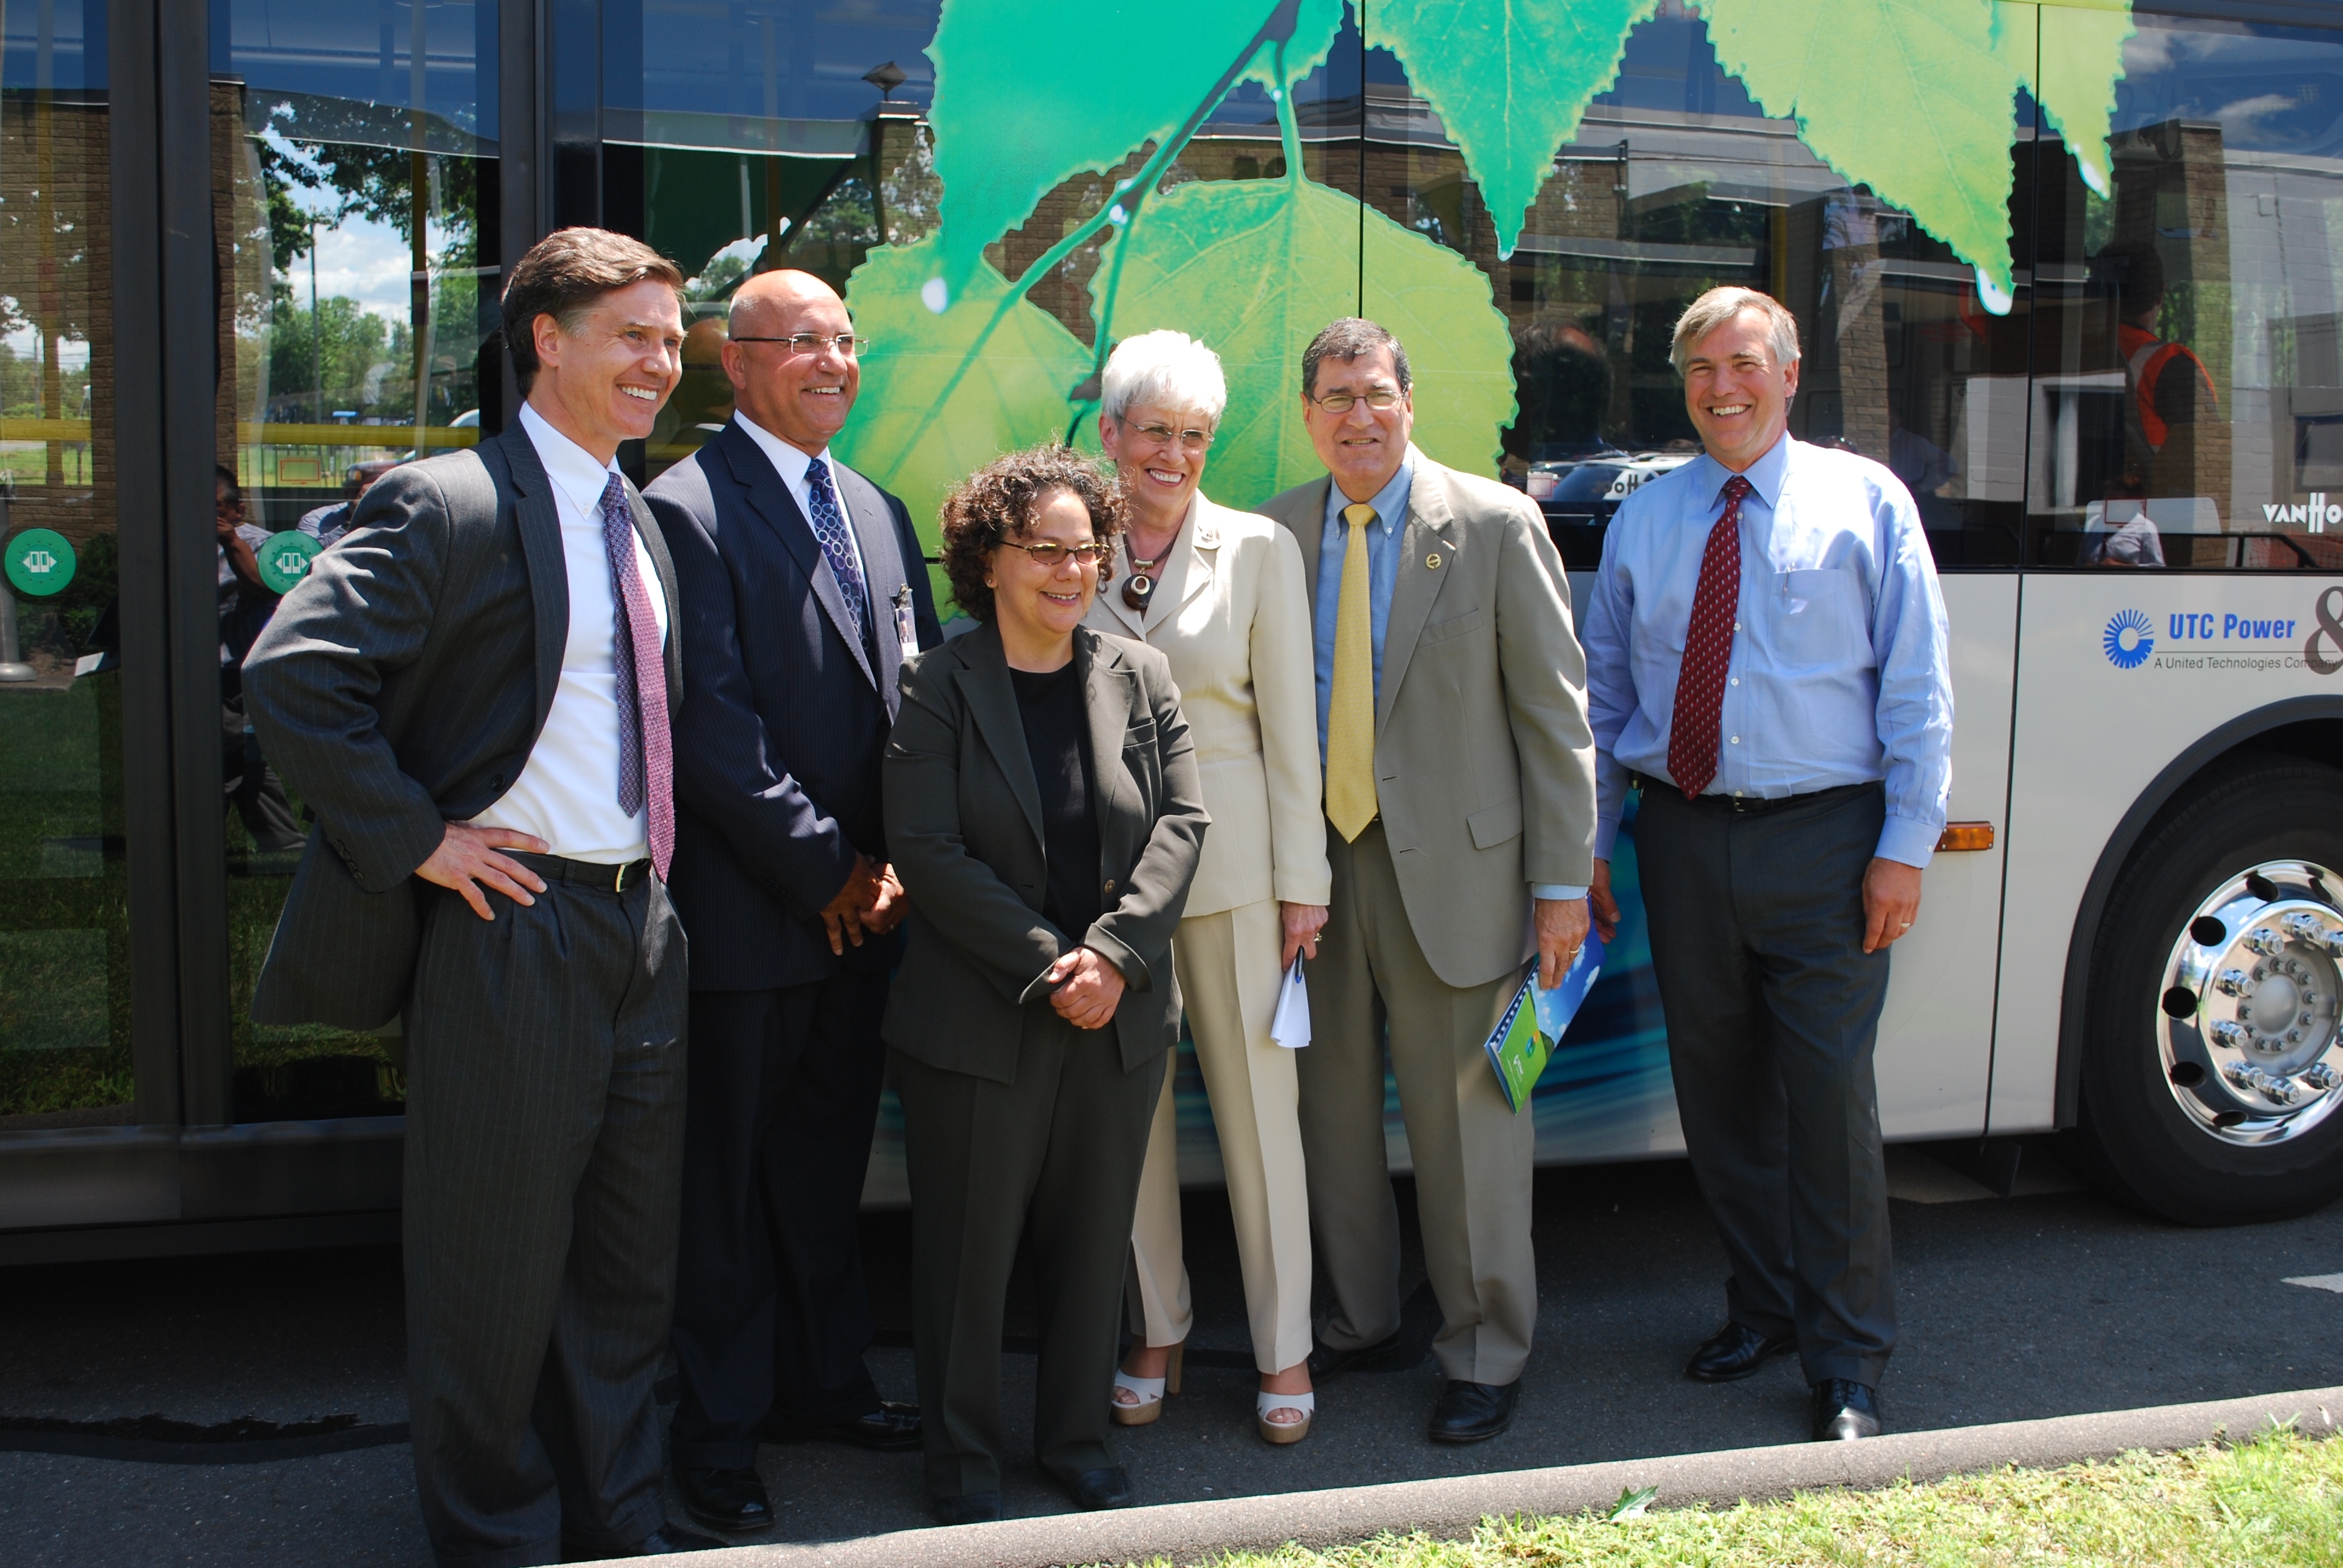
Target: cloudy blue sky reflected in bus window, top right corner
(2272, 90)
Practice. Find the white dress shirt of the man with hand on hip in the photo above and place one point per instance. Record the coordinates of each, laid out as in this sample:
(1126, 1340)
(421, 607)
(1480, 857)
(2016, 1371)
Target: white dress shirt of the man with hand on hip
(568, 793)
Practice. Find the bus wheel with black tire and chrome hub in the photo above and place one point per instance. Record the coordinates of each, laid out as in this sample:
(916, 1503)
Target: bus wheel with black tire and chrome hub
(2213, 1065)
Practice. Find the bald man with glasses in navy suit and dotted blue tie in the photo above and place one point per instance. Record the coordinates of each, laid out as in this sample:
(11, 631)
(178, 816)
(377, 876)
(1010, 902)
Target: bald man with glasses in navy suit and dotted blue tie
(802, 592)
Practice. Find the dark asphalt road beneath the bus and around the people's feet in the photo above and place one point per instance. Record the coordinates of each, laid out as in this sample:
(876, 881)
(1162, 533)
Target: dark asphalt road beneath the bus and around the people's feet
(2044, 1304)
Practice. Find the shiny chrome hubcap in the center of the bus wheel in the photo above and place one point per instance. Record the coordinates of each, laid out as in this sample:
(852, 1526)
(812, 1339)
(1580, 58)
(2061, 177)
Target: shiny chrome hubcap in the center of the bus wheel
(2250, 1042)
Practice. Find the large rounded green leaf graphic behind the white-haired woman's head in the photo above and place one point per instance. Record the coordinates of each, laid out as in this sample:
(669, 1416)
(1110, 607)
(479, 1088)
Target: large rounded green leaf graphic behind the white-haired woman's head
(1241, 264)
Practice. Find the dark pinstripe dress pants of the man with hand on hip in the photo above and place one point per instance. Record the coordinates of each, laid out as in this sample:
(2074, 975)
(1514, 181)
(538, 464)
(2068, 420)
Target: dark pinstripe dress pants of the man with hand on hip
(542, 1171)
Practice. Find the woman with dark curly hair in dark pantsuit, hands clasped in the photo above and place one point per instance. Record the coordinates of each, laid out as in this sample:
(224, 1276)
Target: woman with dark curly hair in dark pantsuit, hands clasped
(1046, 819)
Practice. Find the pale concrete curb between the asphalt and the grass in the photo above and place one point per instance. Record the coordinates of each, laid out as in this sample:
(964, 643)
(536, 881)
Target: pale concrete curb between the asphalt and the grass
(1454, 1506)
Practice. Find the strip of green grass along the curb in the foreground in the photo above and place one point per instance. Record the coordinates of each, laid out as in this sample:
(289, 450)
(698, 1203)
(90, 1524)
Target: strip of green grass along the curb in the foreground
(2276, 1501)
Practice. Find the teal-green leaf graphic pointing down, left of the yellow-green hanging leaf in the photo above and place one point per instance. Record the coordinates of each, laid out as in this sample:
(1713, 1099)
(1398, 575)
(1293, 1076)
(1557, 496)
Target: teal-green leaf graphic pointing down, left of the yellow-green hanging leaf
(1508, 81)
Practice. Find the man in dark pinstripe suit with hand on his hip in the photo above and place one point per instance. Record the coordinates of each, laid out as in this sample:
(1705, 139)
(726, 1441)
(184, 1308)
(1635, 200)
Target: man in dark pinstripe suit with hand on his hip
(474, 690)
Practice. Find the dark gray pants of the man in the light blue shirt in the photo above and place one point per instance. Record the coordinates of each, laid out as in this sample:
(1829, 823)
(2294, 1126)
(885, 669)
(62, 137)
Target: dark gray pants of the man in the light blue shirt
(1772, 1018)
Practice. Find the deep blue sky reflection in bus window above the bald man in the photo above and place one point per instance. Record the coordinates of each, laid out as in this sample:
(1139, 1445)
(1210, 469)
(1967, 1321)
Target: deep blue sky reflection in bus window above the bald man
(786, 60)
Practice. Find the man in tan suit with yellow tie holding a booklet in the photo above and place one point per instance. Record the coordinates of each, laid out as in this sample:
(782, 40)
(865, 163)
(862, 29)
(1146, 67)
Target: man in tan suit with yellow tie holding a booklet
(1461, 817)
